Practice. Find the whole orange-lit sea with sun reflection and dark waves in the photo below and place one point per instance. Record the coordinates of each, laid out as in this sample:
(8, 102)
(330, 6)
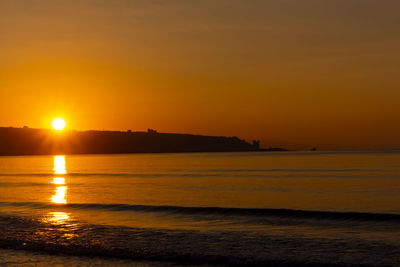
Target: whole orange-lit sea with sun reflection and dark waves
(201, 209)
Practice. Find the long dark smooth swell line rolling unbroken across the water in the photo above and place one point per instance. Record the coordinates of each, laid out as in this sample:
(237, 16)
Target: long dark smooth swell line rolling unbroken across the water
(247, 212)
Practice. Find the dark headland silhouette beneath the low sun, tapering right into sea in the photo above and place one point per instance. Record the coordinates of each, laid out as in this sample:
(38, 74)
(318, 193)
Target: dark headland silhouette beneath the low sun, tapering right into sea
(29, 141)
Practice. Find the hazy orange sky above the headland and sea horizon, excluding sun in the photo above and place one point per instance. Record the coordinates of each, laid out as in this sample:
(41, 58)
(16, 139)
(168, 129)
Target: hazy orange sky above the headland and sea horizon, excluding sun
(294, 74)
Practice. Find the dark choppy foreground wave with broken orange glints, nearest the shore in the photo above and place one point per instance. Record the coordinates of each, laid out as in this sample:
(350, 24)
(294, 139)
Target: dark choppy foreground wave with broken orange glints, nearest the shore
(183, 247)
